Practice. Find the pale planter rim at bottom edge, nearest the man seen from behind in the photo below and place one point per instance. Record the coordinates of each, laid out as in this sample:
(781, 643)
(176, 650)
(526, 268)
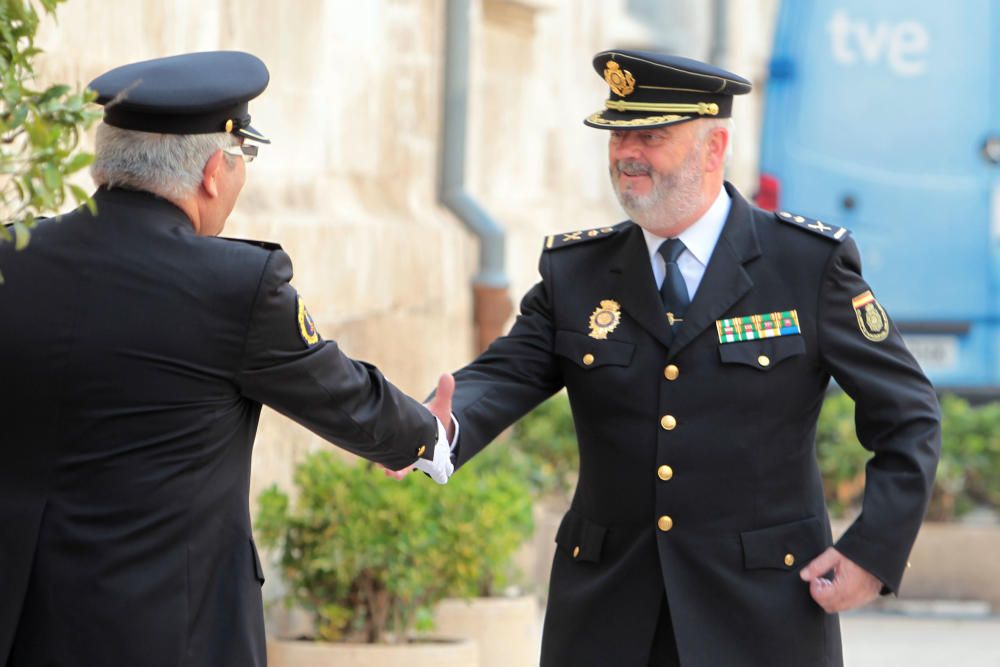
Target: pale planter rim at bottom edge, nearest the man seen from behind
(429, 653)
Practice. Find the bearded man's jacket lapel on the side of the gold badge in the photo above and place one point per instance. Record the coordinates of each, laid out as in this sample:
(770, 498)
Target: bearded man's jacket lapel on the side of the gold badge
(635, 287)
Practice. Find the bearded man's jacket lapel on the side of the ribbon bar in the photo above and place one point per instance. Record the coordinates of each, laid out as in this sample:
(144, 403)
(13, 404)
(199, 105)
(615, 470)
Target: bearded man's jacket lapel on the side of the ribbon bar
(725, 280)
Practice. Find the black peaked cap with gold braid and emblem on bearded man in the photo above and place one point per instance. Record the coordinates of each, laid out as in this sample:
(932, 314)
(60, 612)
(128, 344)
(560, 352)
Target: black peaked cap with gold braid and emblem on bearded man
(652, 90)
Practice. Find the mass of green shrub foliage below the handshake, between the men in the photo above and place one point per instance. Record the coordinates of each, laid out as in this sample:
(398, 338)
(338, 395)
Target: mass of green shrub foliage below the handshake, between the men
(371, 555)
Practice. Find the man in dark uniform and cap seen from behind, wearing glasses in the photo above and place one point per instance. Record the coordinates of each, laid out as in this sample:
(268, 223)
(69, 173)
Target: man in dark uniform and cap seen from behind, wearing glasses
(135, 353)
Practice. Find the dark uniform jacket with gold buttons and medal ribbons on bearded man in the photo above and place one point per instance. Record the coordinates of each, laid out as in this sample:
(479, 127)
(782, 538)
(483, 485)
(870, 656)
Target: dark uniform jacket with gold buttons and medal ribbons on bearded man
(743, 493)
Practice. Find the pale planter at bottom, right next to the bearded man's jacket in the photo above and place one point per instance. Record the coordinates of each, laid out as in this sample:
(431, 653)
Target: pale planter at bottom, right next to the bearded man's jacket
(505, 629)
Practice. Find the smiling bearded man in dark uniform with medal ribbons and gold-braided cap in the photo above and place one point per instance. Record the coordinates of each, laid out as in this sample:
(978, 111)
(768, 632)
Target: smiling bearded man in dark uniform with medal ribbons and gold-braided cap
(696, 342)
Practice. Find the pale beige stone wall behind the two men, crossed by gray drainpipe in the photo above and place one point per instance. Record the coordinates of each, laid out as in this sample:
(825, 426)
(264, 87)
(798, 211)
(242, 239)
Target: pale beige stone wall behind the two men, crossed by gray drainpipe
(348, 185)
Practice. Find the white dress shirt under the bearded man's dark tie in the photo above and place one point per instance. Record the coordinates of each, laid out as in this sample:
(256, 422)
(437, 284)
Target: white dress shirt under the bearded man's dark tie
(699, 241)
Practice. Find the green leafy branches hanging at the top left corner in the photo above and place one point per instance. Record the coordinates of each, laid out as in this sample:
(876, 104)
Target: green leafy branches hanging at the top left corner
(39, 128)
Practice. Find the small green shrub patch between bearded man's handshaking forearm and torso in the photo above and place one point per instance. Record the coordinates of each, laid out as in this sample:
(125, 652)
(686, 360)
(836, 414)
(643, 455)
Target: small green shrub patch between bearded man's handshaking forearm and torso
(546, 439)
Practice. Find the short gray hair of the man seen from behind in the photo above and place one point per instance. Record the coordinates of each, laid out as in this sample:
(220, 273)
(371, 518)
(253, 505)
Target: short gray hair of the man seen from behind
(168, 165)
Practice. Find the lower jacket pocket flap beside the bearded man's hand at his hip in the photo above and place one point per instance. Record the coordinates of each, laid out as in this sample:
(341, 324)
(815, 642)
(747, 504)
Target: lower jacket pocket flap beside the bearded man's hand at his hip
(783, 547)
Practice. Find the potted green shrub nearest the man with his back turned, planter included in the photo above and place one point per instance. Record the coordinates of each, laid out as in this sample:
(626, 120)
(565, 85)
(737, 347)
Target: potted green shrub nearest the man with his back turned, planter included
(368, 557)
